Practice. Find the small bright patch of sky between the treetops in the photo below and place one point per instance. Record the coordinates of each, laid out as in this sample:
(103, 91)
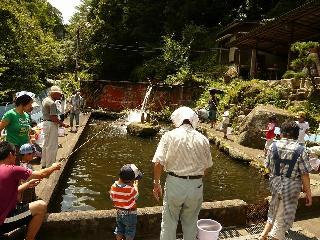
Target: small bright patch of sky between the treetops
(66, 7)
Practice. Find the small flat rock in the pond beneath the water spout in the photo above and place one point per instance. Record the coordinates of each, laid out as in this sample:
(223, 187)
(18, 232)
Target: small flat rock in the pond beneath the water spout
(142, 129)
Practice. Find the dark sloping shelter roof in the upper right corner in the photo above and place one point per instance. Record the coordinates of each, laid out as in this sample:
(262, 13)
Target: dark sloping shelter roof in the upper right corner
(300, 24)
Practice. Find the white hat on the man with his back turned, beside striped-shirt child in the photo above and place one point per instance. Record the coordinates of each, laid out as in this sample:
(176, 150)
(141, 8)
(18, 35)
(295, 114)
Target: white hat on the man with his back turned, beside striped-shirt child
(183, 113)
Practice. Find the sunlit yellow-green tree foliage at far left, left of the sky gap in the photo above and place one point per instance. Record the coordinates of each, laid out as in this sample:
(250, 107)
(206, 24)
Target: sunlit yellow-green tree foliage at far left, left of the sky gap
(29, 50)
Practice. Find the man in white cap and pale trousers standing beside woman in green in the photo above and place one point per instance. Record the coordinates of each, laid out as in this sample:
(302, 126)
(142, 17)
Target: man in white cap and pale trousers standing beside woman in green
(50, 127)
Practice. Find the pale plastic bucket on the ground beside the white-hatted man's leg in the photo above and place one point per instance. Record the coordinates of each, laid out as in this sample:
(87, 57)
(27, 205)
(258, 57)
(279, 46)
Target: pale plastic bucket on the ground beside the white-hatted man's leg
(208, 229)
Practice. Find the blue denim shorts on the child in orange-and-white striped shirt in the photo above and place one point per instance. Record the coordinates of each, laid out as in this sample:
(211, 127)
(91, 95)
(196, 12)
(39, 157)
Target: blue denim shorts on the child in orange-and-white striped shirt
(126, 225)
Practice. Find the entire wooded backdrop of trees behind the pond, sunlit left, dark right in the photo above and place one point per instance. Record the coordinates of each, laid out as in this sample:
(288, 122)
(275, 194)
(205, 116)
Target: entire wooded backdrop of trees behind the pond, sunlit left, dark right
(168, 40)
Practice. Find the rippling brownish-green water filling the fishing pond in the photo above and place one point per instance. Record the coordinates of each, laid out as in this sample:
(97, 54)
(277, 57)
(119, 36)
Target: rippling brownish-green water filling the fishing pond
(97, 164)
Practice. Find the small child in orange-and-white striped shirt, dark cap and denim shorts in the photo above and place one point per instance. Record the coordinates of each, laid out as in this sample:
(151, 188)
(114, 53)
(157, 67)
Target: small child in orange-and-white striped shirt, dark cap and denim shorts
(124, 194)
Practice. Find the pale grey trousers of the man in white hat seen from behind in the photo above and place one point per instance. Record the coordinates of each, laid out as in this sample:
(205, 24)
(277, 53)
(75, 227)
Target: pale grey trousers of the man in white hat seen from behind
(182, 200)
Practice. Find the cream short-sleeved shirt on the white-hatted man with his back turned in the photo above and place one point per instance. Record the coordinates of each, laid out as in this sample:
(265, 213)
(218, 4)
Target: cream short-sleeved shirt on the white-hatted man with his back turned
(184, 151)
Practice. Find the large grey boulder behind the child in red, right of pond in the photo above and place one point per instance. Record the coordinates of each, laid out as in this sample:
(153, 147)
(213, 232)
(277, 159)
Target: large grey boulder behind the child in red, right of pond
(250, 134)
